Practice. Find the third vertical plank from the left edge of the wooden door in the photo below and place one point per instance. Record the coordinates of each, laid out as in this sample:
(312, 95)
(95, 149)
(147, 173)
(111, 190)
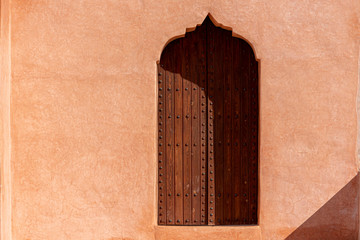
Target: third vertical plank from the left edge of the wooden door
(179, 202)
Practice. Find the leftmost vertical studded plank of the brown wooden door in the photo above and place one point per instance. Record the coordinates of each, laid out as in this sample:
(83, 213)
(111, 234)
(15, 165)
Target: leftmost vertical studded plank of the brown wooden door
(161, 151)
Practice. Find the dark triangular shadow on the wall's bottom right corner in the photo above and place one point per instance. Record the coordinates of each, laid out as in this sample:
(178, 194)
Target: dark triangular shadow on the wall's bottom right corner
(336, 219)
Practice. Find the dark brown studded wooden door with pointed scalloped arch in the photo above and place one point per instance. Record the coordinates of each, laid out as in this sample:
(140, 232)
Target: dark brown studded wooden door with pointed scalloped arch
(208, 130)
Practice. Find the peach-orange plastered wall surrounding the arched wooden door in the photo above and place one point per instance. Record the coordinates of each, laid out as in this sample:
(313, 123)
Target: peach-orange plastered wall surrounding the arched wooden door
(83, 109)
